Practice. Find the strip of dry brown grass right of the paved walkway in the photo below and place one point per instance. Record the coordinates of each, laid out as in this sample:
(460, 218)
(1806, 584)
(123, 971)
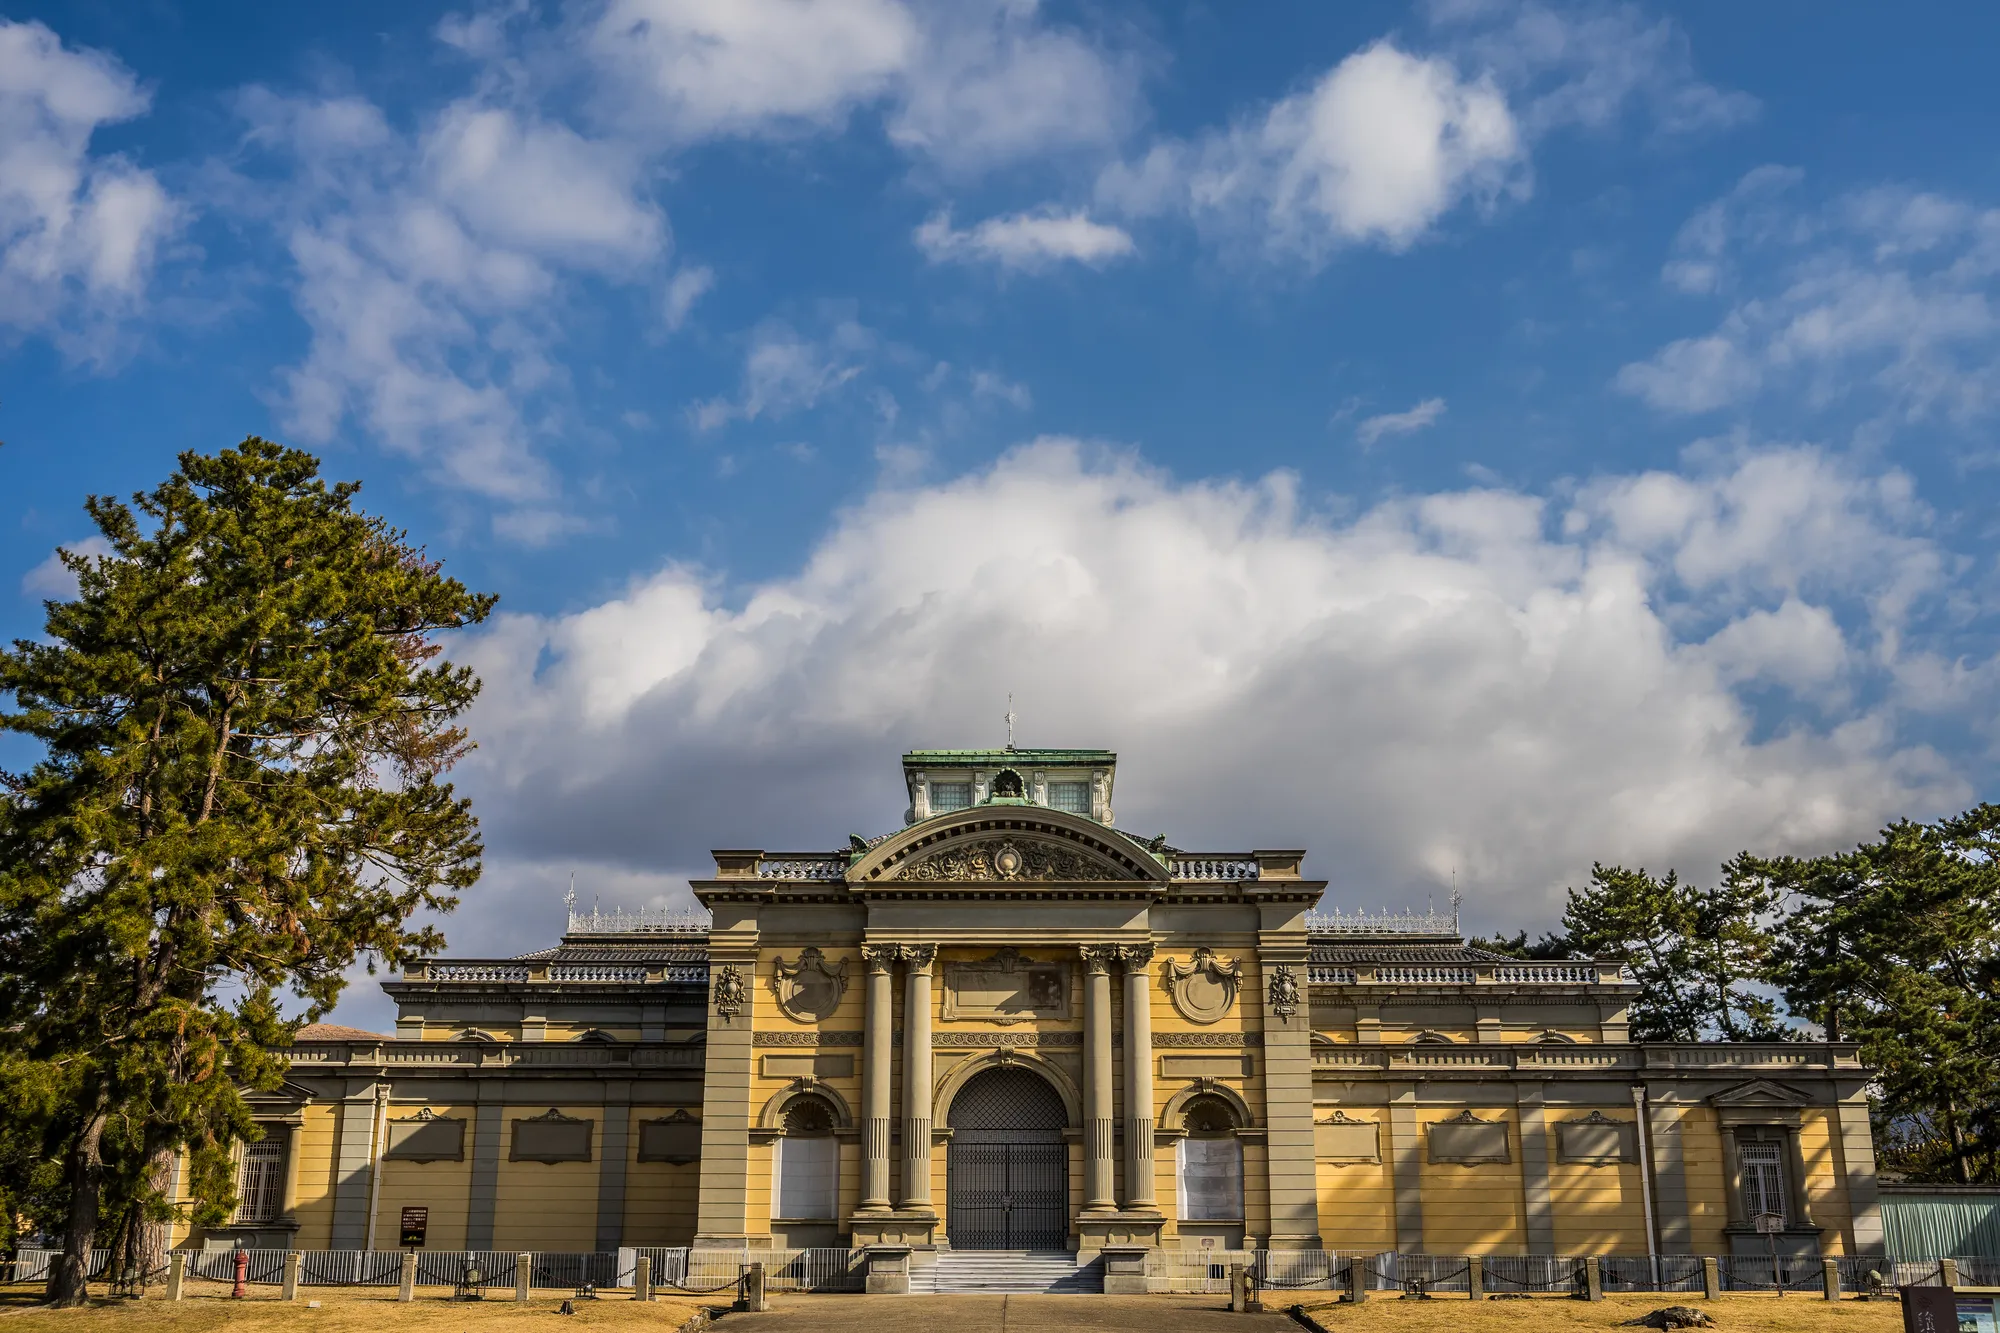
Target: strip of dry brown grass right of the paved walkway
(1733, 1314)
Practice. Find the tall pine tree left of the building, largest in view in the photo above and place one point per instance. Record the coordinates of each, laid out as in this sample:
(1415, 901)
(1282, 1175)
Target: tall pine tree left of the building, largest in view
(245, 728)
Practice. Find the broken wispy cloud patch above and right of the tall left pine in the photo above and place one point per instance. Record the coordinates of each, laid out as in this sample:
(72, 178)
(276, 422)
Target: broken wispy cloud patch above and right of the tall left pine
(431, 269)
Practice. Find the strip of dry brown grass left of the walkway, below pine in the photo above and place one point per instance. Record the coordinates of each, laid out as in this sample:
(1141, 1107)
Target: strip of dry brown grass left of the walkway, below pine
(355, 1312)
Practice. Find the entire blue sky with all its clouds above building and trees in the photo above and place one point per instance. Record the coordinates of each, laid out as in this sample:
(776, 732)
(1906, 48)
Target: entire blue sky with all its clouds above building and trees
(1467, 439)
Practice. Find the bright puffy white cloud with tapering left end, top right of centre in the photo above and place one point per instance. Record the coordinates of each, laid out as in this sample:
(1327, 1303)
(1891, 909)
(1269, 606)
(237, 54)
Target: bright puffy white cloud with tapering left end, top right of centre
(1375, 153)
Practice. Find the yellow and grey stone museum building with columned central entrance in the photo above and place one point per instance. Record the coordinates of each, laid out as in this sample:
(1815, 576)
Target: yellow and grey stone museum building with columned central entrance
(1011, 1026)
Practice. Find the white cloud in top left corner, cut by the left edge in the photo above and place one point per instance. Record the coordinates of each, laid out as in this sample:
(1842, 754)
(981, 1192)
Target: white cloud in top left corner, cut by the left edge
(79, 231)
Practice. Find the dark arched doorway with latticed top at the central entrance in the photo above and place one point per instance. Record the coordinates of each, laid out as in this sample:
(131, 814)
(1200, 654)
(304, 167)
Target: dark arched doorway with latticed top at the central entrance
(1007, 1174)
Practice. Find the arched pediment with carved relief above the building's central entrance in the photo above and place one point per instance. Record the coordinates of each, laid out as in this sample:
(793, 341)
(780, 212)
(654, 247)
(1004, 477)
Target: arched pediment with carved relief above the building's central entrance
(1019, 846)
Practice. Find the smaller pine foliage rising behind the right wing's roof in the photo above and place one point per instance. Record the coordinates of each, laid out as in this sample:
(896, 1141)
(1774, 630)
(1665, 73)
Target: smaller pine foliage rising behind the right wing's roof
(1697, 954)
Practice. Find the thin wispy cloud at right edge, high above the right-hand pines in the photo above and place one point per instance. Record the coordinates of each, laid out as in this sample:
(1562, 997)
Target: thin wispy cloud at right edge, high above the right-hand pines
(1885, 295)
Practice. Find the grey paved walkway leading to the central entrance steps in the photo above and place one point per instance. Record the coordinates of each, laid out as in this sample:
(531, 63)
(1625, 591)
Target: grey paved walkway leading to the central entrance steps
(1003, 1314)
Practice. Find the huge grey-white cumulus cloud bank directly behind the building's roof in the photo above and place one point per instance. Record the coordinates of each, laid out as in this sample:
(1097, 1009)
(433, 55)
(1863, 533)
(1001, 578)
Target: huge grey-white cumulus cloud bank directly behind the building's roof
(1559, 680)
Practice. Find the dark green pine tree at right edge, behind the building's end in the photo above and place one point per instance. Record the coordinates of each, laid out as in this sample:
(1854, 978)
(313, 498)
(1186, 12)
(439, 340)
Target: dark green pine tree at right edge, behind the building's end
(1897, 946)
